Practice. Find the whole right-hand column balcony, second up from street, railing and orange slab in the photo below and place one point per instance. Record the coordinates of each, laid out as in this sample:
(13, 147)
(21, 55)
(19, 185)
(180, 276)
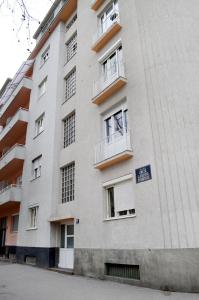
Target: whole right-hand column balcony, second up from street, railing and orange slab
(109, 83)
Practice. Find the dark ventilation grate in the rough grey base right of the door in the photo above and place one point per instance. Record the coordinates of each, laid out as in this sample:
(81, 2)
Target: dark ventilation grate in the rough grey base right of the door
(123, 271)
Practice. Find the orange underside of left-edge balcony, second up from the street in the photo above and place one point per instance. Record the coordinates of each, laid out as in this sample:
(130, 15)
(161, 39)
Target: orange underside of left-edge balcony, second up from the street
(14, 166)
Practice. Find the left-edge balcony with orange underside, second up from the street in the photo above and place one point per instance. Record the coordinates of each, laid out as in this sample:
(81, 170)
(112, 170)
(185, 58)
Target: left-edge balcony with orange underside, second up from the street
(12, 161)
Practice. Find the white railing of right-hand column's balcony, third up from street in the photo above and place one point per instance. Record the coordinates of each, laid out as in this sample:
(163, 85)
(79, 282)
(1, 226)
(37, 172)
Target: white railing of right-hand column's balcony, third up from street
(104, 26)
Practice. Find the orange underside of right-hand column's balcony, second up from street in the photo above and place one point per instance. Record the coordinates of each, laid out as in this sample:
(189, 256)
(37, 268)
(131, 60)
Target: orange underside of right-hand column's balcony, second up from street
(109, 91)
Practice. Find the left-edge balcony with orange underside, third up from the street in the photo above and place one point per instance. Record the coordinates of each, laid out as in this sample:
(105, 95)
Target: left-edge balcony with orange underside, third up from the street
(15, 129)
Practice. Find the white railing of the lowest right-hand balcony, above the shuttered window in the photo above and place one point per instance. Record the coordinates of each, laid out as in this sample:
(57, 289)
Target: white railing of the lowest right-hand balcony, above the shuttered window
(112, 145)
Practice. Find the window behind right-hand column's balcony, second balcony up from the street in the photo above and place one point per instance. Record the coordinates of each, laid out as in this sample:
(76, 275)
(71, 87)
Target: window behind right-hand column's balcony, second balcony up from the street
(112, 67)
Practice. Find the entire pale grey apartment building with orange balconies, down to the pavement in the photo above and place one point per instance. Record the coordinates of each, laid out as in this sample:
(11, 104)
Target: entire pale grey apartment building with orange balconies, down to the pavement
(100, 156)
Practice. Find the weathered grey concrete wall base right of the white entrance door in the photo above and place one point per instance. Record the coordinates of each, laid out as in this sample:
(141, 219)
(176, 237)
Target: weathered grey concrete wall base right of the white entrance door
(165, 269)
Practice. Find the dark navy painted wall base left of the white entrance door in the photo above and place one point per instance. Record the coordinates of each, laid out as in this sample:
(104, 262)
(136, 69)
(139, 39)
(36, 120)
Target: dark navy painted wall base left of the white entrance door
(41, 257)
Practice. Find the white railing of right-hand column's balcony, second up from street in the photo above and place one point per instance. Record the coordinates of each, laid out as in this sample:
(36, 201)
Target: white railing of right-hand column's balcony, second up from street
(108, 76)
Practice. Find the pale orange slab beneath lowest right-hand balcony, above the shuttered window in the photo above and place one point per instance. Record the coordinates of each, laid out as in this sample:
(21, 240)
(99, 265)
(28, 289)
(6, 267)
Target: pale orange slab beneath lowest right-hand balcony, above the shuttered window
(114, 160)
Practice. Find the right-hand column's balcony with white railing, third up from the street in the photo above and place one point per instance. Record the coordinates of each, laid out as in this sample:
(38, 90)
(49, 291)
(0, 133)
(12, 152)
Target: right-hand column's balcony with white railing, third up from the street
(107, 30)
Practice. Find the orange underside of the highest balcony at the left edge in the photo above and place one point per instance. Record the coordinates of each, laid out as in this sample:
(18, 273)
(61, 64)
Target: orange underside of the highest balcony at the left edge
(21, 100)
